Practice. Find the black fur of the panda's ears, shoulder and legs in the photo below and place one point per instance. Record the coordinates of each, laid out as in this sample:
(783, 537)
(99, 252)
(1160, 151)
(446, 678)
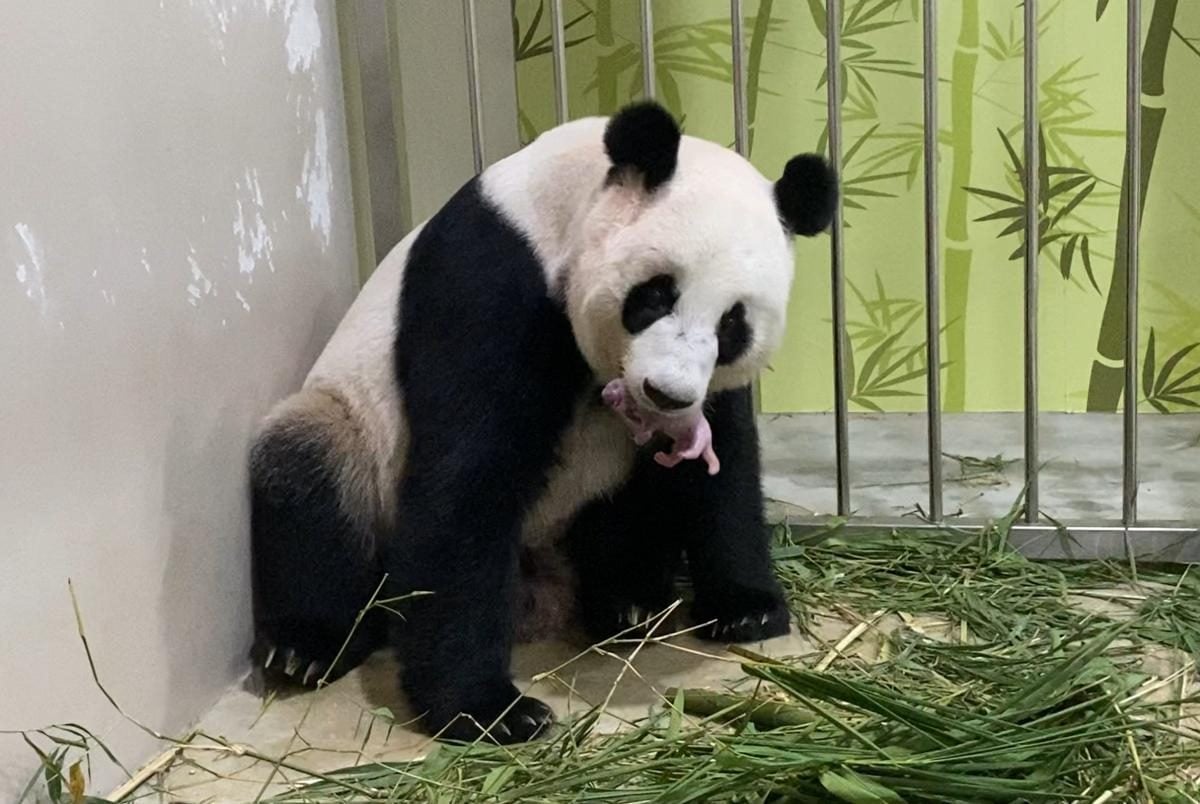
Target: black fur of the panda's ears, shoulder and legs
(487, 403)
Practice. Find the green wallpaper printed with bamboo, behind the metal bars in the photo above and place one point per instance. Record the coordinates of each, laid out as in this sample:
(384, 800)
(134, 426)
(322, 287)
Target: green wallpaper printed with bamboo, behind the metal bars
(1082, 103)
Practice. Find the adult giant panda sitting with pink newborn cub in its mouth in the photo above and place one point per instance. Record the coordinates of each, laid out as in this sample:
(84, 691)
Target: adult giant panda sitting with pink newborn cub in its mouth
(535, 413)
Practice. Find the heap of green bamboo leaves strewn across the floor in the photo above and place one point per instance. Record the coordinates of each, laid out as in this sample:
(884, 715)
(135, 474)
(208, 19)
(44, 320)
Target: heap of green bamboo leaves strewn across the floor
(1036, 699)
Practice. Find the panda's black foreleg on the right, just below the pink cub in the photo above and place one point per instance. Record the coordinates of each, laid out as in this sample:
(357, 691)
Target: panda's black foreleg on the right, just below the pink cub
(721, 520)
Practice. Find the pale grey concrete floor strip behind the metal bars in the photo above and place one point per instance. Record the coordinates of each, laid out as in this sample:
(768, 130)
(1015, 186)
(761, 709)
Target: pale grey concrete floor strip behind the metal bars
(1081, 455)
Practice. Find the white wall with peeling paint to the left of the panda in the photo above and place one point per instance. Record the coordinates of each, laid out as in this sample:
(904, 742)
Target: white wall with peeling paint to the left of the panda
(176, 247)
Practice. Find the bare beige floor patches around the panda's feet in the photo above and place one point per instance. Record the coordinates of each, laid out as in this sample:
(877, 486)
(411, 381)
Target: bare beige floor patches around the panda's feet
(346, 724)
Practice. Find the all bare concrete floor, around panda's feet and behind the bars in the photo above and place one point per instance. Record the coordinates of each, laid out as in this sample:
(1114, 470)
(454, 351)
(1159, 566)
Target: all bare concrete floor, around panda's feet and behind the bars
(349, 723)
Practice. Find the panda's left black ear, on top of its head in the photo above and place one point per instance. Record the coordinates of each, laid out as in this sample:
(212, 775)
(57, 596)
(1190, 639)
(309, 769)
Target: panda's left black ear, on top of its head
(644, 137)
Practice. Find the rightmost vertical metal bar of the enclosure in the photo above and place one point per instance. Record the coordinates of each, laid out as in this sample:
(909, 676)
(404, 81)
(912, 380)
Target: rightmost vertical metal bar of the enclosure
(1133, 173)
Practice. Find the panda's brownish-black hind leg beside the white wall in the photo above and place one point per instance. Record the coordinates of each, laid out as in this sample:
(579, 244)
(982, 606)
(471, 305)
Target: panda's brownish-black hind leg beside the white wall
(314, 548)
